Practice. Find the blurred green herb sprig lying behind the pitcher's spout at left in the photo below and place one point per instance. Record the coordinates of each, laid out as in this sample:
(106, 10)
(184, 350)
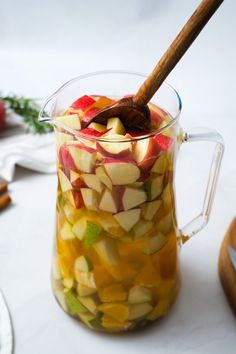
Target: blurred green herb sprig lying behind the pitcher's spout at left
(28, 109)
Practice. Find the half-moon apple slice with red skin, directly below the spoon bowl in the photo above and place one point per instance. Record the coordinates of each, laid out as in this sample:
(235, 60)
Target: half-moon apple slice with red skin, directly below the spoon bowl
(115, 148)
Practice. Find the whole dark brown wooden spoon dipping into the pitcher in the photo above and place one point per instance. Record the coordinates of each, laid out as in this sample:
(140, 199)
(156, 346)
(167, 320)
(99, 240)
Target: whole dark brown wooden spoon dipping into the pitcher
(133, 111)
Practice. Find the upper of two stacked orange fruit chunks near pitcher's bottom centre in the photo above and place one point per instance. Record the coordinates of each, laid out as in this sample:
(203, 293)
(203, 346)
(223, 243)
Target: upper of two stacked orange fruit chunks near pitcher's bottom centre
(112, 293)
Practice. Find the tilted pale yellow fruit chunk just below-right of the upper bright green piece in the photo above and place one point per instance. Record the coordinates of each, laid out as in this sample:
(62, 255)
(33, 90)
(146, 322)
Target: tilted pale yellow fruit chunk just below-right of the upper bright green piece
(107, 251)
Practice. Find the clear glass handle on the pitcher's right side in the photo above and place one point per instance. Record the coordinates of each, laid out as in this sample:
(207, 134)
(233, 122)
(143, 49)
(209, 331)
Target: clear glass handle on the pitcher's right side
(201, 220)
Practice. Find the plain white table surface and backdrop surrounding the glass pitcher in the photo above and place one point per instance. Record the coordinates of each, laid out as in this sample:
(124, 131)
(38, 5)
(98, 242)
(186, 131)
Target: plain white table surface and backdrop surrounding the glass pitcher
(42, 45)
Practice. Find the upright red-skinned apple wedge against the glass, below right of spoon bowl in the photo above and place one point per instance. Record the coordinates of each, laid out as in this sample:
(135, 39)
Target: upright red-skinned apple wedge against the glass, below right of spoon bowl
(146, 152)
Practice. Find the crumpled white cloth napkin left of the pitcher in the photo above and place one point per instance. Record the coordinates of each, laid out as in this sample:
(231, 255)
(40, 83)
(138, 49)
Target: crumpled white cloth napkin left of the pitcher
(32, 151)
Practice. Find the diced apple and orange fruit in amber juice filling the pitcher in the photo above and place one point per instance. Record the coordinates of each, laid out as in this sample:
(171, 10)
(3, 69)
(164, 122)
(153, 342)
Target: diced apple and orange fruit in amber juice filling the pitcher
(115, 264)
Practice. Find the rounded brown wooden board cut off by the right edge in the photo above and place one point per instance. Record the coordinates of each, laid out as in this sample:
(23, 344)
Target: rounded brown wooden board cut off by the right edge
(227, 263)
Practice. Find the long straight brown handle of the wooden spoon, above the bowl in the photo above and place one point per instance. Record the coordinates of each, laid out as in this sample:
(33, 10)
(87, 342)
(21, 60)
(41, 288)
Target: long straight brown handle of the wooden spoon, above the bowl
(176, 50)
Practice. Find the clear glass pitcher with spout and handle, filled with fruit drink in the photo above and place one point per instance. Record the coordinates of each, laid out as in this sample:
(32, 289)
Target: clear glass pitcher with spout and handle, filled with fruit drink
(116, 255)
